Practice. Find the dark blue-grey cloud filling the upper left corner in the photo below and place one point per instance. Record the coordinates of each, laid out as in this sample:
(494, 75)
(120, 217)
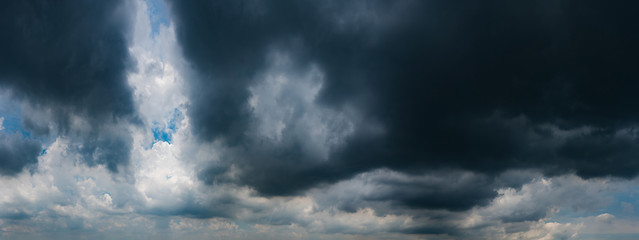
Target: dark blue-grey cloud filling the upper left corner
(68, 58)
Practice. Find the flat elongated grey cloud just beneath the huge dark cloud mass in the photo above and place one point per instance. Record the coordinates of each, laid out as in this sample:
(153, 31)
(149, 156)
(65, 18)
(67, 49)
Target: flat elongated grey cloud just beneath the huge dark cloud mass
(389, 192)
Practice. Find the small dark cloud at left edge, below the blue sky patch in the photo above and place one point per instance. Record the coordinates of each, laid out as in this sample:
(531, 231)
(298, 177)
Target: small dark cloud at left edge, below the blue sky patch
(16, 153)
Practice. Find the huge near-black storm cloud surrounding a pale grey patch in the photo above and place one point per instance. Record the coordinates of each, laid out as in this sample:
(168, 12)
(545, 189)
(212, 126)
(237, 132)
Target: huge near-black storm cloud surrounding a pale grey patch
(482, 86)
